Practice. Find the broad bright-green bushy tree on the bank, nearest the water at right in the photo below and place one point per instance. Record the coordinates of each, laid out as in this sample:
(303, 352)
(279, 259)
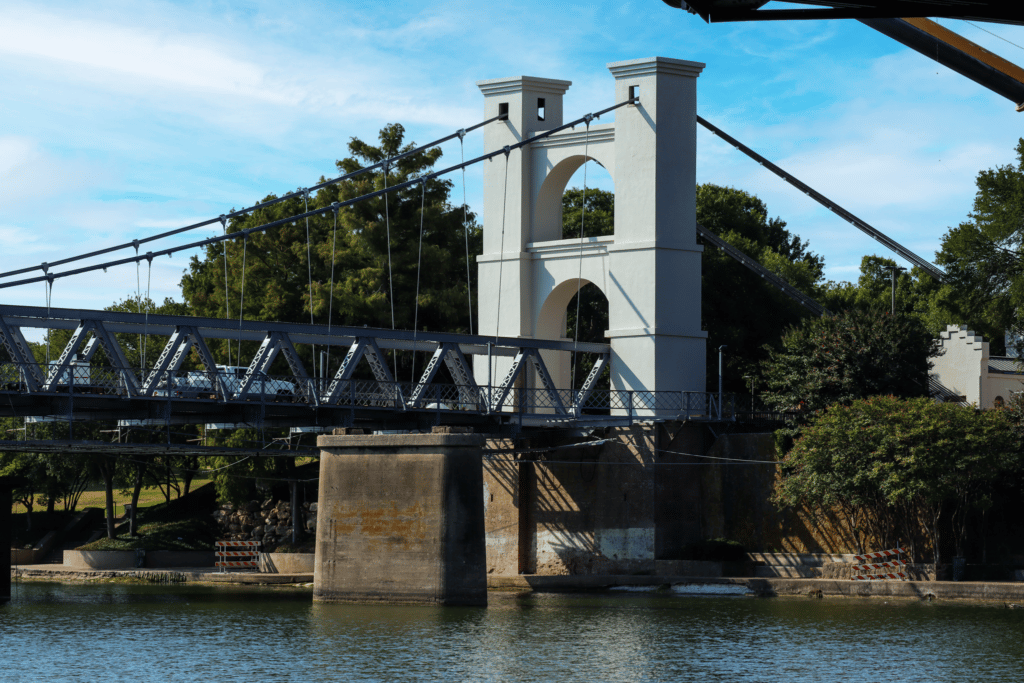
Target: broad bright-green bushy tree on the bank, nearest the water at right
(888, 463)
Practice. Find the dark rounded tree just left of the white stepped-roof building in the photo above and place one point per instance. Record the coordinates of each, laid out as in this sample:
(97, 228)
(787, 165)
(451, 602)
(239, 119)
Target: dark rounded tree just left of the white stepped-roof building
(846, 357)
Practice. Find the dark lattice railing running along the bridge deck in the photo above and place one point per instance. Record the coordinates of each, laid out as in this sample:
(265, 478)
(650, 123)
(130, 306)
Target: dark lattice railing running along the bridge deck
(239, 386)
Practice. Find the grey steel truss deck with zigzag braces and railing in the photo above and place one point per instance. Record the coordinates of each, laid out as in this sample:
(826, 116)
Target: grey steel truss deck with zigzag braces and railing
(73, 388)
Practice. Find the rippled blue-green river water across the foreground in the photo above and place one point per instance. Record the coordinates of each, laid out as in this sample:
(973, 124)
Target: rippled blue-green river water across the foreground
(114, 632)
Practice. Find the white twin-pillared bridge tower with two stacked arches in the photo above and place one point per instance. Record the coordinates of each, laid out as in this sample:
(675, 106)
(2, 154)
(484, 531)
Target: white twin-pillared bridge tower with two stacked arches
(650, 270)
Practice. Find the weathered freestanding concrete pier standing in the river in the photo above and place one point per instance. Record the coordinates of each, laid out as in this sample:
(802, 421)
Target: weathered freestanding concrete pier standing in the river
(401, 521)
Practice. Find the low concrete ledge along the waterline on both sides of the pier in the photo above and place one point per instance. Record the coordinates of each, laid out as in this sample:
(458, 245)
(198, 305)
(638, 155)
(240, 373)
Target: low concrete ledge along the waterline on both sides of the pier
(1006, 592)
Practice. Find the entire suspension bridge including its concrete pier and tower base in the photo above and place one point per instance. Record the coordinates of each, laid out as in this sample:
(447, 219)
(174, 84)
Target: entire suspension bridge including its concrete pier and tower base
(402, 516)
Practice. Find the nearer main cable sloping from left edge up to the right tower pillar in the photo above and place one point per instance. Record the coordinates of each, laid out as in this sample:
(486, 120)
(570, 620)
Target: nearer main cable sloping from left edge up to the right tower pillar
(316, 212)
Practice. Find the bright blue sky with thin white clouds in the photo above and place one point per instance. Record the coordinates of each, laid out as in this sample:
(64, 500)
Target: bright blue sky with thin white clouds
(122, 119)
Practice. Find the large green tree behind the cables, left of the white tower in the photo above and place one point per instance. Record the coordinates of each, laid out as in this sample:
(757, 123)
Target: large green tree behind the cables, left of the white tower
(355, 268)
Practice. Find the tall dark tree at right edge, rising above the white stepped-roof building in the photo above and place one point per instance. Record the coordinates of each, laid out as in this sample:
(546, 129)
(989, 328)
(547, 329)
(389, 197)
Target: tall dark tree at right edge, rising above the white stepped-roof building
(985, 255)
